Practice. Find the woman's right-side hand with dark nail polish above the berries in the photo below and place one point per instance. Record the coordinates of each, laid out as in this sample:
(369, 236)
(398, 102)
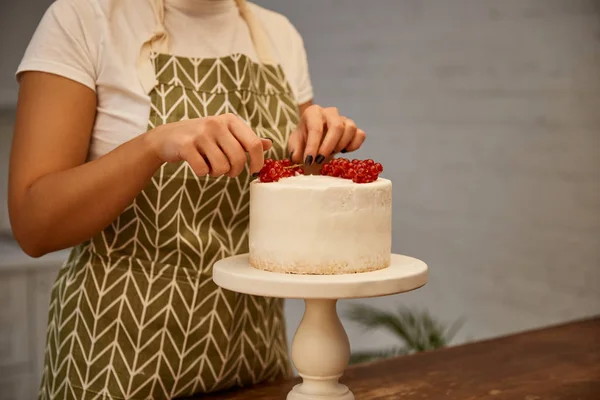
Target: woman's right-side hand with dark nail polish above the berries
(321, 133)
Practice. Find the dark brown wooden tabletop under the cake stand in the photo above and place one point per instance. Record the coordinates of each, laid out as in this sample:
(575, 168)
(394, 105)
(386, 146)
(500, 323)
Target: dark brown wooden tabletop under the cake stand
(556, 363)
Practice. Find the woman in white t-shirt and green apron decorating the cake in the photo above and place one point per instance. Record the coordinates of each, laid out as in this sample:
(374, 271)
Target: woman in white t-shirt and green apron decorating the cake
(150, 203)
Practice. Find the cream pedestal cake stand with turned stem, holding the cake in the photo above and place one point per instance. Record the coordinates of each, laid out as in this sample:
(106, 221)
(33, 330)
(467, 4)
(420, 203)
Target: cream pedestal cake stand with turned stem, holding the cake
(320, 349)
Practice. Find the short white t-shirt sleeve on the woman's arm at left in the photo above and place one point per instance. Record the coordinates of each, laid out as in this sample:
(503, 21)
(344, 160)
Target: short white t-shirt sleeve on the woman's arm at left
(65, 43)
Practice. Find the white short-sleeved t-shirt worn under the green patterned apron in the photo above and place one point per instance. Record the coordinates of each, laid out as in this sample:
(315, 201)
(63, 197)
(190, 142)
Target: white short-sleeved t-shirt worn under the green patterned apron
(97, 43)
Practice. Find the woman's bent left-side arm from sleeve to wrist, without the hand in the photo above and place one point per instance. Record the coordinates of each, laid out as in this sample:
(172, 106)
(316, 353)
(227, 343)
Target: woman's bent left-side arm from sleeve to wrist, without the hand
(56, 200)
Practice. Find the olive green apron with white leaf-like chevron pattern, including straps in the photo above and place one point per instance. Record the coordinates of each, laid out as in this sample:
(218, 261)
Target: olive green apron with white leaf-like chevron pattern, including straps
(134, 313)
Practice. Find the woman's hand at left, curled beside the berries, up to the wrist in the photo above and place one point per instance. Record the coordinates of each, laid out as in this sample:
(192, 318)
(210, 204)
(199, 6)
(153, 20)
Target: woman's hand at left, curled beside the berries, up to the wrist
(214, 146)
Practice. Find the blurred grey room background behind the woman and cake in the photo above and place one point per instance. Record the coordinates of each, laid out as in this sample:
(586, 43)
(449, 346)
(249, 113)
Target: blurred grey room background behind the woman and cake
(486, 117)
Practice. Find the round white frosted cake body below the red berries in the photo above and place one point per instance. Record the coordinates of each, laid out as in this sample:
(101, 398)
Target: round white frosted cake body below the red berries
(321, 225)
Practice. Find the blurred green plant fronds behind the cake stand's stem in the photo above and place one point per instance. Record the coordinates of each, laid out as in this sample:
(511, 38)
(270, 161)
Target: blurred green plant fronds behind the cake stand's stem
(417, 331)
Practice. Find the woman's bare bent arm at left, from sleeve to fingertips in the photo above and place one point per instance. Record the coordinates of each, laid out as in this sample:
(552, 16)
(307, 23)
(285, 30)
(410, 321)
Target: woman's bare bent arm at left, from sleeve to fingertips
(57, 200)
